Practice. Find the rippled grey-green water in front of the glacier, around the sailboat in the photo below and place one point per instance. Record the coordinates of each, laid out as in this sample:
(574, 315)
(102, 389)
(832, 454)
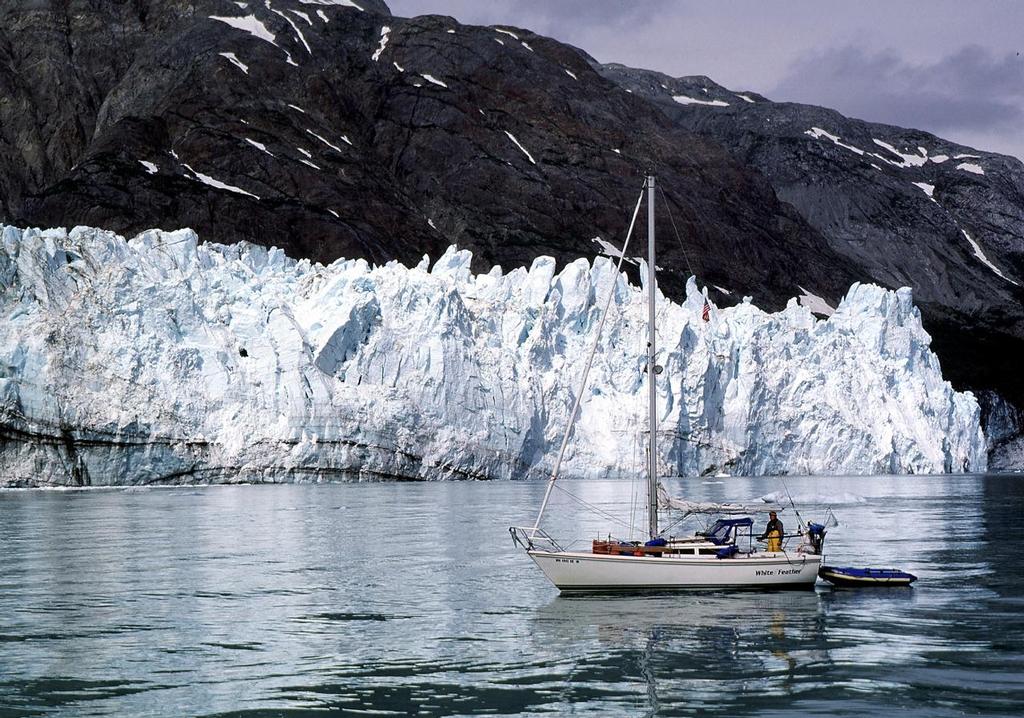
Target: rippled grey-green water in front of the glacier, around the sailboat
(410, 600)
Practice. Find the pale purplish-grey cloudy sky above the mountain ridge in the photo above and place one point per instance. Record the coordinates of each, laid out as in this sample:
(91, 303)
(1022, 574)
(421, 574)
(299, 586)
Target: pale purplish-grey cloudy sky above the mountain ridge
(952, 68)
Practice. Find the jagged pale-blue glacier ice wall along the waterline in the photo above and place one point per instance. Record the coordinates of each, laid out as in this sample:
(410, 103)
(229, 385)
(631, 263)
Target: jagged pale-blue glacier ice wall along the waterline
(160, 360)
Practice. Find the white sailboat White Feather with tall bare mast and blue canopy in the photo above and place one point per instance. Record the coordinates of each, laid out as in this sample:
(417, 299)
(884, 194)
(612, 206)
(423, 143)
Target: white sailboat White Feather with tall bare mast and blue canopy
(711, 560)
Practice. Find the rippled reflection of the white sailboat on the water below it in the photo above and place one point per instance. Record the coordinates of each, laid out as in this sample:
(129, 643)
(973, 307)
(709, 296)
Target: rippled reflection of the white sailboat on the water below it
(695, 651)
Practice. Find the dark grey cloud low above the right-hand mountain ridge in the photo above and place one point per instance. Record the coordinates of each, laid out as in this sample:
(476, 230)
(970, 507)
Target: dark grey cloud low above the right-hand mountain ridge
(970, 91)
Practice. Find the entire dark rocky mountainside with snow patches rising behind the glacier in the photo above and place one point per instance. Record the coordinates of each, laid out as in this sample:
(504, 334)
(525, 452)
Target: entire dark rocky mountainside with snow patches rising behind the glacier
(332, 129)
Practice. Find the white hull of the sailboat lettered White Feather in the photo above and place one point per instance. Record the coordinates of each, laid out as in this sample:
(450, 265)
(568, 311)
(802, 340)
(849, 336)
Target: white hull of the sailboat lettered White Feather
(571, 571)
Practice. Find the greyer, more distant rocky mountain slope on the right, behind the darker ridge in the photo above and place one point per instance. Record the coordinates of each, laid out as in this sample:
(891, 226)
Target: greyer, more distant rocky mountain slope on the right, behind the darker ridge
(905, 207)
